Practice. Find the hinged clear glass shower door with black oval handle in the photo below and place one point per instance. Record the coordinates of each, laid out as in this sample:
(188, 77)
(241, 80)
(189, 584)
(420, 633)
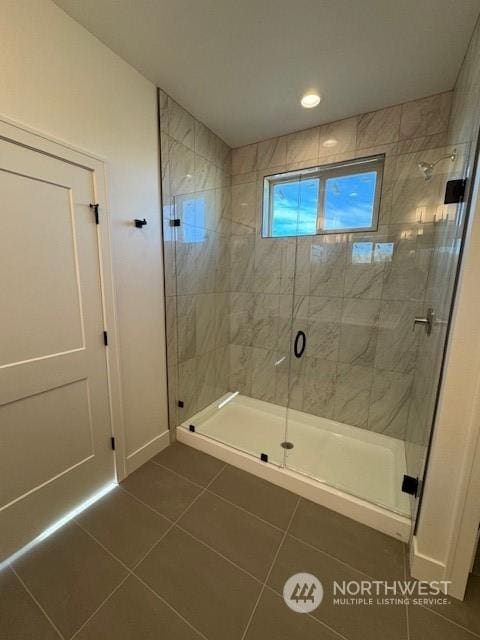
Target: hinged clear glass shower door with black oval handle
(362, 393)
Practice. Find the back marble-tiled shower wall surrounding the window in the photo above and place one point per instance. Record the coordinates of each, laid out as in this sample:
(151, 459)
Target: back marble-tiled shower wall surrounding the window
(355, 295)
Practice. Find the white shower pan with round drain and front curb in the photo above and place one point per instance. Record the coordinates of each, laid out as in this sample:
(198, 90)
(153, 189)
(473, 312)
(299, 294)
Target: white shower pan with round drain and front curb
(348, 469)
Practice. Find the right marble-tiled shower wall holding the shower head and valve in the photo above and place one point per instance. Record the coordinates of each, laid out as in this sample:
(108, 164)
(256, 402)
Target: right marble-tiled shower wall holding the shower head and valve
(462, 134)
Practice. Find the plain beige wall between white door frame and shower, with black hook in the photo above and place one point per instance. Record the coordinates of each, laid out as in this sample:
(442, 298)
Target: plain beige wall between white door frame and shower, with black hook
(60, 80)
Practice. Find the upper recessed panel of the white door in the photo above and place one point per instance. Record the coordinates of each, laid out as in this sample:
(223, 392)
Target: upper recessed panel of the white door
(44, 283)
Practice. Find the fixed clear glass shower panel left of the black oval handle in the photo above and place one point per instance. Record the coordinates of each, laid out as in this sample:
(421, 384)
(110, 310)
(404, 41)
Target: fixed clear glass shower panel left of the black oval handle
(234, 310)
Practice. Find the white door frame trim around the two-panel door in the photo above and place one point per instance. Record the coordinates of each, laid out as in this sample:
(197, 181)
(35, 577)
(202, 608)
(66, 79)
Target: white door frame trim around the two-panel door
(23, 135)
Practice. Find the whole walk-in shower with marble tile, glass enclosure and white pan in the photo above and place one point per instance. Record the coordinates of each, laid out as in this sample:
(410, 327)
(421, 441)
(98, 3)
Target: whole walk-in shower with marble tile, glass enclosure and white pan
(309, 280)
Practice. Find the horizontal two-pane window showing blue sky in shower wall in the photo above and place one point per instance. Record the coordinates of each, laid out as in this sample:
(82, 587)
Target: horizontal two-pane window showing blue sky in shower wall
(335, 198)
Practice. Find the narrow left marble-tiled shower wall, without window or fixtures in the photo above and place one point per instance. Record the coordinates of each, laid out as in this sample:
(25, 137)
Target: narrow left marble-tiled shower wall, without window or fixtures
(195, 189)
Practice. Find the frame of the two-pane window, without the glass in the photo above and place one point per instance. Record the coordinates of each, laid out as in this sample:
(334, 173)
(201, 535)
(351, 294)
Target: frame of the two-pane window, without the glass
(323, 173)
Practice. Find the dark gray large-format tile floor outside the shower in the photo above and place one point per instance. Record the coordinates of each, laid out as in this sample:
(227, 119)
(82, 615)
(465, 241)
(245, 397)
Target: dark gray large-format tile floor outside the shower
(190, 548)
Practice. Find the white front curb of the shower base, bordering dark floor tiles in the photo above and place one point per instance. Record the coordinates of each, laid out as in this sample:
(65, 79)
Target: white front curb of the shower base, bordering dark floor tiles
(362, 511)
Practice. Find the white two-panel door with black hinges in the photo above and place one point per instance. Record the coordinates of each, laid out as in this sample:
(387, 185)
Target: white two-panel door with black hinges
(55, 427)
